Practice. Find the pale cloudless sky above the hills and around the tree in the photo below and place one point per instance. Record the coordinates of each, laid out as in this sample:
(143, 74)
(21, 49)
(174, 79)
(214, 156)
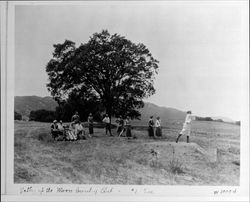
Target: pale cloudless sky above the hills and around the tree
(201, 48)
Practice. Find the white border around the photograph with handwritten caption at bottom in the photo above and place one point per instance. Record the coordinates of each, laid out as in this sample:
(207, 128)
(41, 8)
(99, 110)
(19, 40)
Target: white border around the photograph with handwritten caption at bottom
(12, 192)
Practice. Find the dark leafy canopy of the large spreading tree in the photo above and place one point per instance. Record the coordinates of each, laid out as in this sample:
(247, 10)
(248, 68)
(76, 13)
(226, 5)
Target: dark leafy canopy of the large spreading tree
(109, 70)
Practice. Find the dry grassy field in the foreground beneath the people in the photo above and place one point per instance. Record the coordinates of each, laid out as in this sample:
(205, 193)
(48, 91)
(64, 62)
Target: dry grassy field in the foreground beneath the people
(212, 157)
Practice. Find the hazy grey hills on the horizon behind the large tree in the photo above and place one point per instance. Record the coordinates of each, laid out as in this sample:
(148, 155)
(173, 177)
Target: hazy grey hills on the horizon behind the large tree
(25, 104)
